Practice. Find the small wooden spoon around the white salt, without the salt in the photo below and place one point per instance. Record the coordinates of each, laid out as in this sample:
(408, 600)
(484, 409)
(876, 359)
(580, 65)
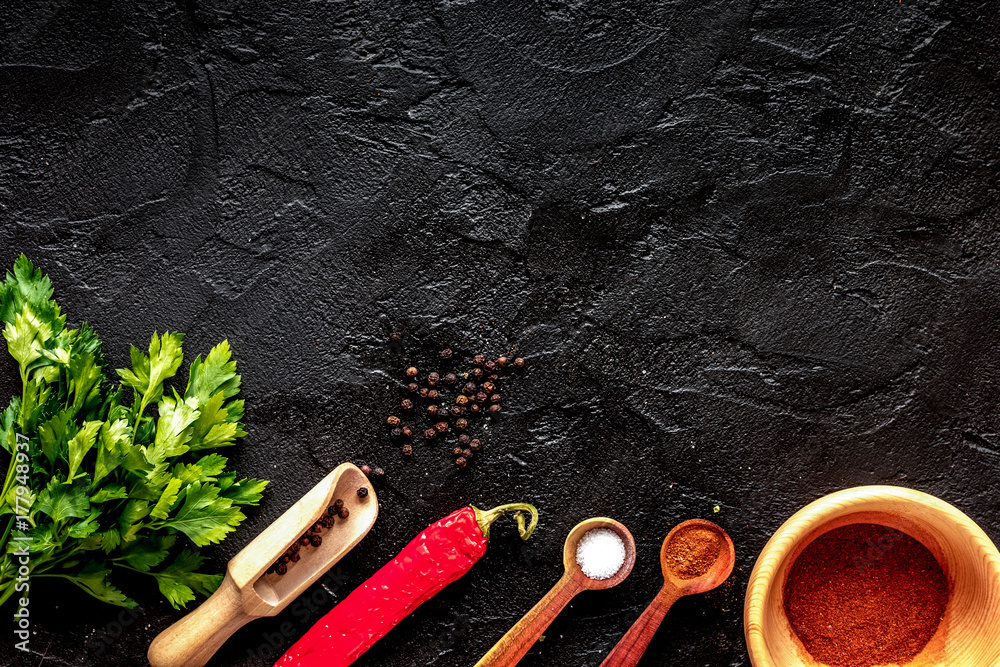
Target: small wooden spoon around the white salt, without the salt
(520, 638)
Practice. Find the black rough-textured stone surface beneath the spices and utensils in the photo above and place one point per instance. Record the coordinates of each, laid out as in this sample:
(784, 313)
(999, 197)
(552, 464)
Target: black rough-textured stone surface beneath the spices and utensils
(750, 250)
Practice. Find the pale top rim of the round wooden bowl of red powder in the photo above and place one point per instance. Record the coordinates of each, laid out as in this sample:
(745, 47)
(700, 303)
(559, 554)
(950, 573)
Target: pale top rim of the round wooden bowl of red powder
(801, 524)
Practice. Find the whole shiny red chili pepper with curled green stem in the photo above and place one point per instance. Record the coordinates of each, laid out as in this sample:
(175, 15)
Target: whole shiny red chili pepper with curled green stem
(439, 555)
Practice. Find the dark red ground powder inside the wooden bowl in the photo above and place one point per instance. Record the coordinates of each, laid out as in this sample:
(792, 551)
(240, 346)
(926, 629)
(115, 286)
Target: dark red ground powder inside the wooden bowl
(864, 595)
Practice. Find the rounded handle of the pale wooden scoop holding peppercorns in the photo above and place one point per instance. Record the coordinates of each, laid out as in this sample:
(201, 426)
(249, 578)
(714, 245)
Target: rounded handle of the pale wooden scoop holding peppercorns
(193, 640)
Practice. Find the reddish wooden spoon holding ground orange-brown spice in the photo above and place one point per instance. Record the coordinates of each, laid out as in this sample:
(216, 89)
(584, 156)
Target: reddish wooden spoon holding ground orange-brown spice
(678, 582)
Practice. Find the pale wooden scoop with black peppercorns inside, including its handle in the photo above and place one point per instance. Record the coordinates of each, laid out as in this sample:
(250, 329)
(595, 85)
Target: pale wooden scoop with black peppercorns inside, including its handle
(248, 593)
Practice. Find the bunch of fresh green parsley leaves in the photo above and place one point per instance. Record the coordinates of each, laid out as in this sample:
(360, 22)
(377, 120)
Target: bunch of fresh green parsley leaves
(111, 482)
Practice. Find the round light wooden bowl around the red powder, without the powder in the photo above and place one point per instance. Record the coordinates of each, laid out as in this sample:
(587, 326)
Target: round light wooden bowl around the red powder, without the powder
(969, 634)
